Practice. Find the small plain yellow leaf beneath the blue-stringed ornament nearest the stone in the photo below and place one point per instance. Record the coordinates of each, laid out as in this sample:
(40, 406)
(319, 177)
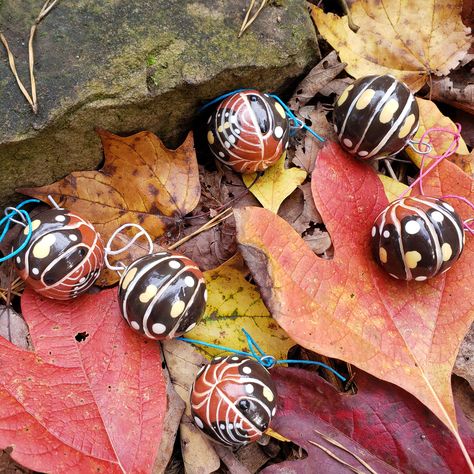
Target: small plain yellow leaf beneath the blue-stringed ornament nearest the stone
(275, 185)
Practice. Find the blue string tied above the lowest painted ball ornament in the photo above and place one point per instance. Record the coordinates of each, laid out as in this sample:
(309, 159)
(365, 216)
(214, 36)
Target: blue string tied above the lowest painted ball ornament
(268, 361)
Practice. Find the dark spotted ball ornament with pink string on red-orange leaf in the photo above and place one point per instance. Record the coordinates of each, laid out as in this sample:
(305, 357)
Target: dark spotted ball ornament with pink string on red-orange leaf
(417, 238)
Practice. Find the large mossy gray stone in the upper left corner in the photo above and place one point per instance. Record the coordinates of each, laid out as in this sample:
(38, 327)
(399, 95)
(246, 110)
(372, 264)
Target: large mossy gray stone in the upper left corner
(133, 65)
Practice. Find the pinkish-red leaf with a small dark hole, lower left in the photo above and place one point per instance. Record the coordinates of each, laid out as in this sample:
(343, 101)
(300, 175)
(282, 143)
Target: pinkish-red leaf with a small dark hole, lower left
(91, 398)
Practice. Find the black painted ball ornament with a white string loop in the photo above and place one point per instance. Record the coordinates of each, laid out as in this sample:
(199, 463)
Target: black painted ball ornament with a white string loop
(162, 295)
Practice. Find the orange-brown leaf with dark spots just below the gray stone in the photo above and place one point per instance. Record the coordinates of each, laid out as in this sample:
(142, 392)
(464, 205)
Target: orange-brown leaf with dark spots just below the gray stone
(141, 182)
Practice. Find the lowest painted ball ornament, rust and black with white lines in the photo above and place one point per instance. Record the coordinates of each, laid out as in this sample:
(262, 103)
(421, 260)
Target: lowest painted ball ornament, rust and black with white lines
(233, 400)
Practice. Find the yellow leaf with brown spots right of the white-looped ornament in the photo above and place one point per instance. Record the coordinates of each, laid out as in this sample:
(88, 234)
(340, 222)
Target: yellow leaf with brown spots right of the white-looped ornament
(233, 304)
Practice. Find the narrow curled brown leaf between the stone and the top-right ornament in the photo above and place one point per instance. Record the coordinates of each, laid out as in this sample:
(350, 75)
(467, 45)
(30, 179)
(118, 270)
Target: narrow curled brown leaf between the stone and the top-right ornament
(319, 77)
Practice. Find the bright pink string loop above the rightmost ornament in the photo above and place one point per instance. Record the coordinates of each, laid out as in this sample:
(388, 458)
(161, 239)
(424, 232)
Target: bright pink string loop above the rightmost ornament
(437, 159)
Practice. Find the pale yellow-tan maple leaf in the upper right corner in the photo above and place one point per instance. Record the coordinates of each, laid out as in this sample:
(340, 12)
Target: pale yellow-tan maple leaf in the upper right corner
(407, 39)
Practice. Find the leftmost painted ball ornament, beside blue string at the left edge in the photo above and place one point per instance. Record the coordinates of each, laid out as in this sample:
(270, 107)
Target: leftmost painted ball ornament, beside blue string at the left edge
(64, 256)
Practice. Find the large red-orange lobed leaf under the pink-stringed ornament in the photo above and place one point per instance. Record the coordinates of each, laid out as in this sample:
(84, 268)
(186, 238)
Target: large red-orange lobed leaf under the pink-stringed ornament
(407, 333)
